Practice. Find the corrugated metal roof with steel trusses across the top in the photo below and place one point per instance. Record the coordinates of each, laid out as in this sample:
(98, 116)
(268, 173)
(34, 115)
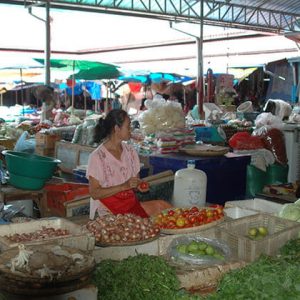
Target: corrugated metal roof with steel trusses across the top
(264, 15)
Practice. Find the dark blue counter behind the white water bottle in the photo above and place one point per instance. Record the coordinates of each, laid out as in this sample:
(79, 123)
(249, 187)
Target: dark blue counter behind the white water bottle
(226, 175)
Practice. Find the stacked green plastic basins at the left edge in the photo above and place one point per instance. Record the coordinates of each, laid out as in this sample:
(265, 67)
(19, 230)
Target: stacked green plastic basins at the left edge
(29, 171)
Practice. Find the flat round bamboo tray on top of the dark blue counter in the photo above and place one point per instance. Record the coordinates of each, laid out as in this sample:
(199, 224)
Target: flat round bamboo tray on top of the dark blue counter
(204, 150)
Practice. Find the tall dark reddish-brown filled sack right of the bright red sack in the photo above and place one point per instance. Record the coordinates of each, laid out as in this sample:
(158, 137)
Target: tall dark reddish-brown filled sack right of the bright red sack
(273, 140)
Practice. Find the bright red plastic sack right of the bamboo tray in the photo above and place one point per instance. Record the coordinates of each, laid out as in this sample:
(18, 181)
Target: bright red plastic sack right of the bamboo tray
(245, 141)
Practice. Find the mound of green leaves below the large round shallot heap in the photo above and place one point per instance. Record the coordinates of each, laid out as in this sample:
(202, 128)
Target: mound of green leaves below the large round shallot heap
(139, 277)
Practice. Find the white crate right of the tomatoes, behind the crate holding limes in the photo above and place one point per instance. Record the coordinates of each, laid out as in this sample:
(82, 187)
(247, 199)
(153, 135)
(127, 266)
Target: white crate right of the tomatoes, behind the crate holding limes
(256, 204)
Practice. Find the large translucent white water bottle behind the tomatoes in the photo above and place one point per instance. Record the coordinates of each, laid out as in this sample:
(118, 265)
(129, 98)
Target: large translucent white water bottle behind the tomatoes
(189, 187)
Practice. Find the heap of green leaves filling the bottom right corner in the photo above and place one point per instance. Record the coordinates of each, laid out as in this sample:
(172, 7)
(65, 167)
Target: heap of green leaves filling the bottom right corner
(267, 278)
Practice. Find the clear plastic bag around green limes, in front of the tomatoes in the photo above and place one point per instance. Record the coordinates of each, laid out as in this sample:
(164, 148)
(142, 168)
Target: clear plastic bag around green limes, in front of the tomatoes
(184, 259)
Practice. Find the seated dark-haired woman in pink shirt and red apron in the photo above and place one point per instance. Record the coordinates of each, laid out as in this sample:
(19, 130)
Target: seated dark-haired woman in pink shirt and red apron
(113, 170)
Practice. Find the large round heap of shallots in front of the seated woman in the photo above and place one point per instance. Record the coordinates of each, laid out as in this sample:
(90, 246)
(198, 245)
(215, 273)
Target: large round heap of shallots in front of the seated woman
(122, 228)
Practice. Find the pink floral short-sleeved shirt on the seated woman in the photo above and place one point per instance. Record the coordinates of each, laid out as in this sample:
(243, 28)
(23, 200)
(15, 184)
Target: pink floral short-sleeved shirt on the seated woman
(108, 170)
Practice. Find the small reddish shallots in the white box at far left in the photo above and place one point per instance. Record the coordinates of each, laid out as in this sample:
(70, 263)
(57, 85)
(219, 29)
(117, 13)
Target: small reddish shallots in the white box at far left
(44, 233)
